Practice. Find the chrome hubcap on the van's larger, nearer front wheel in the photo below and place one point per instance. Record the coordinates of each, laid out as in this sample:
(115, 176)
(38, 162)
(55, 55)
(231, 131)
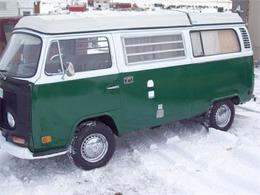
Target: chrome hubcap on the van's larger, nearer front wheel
(94, 147)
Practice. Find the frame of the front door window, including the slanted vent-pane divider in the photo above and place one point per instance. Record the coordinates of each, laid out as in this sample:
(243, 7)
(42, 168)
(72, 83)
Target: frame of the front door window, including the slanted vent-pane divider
(74, 38)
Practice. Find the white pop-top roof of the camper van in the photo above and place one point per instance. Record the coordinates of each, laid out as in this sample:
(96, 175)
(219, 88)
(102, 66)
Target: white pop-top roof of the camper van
(102, 21)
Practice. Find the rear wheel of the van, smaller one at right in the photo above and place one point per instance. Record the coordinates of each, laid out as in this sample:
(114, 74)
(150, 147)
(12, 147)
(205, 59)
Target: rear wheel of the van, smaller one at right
(221, 115)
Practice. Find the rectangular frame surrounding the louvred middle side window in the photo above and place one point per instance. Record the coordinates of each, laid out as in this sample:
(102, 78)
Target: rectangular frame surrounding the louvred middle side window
(147, 34)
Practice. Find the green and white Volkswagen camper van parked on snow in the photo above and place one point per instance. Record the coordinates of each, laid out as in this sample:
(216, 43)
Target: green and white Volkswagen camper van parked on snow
(71, 83)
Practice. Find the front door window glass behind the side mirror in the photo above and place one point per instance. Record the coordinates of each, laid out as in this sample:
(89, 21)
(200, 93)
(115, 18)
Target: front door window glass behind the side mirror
(85, 54)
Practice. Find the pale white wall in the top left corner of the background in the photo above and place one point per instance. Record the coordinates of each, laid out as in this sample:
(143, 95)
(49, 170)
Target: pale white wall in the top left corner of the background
(8, 8)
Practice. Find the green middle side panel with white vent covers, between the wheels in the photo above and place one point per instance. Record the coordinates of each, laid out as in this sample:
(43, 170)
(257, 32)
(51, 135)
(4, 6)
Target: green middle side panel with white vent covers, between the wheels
(171, 89)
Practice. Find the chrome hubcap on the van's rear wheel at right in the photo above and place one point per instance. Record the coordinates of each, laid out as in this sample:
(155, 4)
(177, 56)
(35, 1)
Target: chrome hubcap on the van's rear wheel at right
(223, 116)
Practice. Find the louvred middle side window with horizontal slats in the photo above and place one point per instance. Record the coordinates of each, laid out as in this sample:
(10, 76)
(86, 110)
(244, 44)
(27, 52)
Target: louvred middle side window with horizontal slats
(153, 48)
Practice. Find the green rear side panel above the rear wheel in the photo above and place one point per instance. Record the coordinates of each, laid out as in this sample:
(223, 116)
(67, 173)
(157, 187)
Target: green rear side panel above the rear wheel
(221, 79)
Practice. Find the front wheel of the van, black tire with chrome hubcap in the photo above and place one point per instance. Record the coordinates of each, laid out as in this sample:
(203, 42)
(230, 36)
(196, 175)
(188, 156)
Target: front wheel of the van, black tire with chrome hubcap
(93, 146)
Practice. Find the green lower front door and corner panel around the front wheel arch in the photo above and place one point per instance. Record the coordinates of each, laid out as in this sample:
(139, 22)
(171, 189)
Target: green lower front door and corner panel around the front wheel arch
(59, 107)
